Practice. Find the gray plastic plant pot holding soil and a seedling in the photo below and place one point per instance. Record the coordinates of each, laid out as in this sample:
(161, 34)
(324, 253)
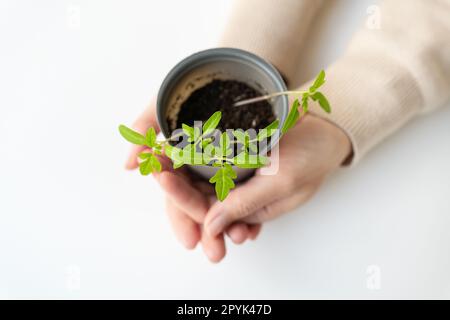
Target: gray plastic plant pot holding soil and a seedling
(205, 66)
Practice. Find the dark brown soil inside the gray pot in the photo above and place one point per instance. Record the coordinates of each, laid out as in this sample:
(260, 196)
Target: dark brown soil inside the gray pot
(220, 95)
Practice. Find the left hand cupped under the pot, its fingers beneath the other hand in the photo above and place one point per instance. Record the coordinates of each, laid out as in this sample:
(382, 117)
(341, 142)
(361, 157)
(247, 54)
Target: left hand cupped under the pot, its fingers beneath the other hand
(188, 199)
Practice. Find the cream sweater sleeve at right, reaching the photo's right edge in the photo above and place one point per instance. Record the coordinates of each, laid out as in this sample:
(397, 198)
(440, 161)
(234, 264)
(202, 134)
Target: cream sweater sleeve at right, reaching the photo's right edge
(391, 74)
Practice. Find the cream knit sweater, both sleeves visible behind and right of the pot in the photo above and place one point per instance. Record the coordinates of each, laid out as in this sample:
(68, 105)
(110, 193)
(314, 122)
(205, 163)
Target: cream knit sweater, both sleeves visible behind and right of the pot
(386, 76)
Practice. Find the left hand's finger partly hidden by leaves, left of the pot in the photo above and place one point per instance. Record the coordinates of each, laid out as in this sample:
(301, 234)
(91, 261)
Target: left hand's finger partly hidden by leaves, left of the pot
(146, 120)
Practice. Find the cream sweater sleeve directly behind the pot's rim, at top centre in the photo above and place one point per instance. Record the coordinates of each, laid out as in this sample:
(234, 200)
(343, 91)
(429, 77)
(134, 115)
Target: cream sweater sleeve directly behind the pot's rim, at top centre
(272, 29)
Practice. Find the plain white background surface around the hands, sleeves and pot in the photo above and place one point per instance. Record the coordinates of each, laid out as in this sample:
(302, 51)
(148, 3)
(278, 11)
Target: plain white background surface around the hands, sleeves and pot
(75, 224)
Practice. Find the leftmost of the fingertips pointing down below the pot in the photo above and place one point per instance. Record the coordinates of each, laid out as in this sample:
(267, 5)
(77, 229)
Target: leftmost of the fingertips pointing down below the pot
(186, 230)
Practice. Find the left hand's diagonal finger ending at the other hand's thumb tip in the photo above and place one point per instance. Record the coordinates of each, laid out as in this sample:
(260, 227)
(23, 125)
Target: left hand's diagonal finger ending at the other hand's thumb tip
(184, 196)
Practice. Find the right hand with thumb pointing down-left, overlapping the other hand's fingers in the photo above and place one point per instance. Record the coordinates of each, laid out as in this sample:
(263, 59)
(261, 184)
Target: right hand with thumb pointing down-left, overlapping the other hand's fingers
(307, 154)
